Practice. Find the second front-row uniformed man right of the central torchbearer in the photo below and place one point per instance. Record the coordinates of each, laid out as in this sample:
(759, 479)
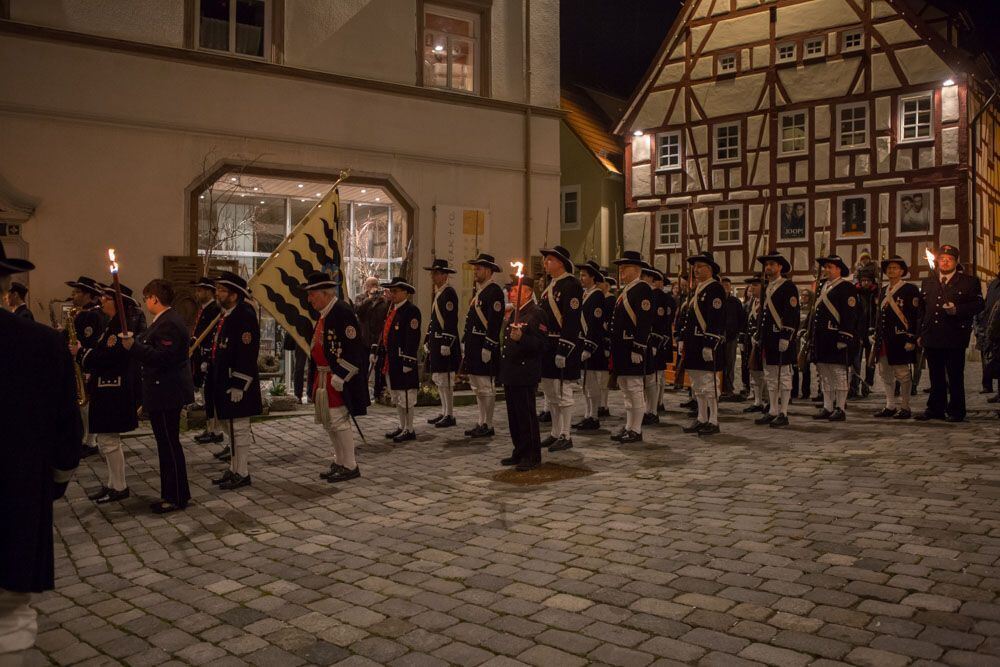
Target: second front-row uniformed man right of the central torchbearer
(630, 329)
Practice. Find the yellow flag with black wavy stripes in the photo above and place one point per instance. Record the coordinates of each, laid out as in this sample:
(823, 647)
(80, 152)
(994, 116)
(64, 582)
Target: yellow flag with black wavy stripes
(313, 245)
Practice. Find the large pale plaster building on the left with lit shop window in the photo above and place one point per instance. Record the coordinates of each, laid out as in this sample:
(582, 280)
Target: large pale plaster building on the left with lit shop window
(118, 116)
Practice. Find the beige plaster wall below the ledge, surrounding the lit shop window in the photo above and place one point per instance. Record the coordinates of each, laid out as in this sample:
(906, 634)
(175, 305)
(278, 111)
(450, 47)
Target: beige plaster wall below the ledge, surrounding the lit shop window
(109, 158)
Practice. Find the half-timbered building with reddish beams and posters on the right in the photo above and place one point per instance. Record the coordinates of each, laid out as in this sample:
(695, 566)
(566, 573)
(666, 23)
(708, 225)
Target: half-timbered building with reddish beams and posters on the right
(813, 126)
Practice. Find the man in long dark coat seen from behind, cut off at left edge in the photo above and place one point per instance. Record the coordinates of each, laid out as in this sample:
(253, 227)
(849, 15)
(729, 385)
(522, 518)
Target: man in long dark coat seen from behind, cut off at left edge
(41, 448)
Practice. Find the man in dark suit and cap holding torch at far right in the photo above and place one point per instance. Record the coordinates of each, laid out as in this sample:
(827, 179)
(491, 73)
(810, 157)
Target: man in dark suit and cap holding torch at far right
(952, 301)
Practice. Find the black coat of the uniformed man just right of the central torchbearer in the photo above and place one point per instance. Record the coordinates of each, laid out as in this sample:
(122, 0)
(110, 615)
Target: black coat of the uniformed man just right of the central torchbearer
(560, 306)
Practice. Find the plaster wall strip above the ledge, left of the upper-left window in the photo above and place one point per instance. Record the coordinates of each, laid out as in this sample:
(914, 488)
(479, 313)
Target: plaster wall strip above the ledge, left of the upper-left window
(150, 21)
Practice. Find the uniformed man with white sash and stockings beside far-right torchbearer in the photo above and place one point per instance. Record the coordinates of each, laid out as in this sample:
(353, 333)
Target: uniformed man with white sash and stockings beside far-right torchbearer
(894, 337)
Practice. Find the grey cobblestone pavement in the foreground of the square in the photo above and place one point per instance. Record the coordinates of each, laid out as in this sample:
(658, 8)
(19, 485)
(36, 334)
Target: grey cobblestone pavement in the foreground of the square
(869, 543)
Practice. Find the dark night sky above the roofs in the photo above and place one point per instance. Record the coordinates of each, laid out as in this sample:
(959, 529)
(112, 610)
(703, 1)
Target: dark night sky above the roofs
(609, 44)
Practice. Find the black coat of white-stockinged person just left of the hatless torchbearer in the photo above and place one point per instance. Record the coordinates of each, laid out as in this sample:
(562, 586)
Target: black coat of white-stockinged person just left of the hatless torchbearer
(111, 376)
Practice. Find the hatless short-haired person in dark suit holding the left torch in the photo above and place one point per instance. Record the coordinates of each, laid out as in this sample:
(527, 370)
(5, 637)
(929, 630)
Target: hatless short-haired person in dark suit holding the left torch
(166, 388)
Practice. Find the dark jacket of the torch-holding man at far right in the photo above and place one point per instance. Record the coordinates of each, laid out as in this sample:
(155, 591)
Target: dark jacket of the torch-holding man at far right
(939, 330)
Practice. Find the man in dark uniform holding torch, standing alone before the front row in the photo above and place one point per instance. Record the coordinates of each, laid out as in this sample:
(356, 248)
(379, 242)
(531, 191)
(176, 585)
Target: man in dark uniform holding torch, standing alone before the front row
(520, 373)
